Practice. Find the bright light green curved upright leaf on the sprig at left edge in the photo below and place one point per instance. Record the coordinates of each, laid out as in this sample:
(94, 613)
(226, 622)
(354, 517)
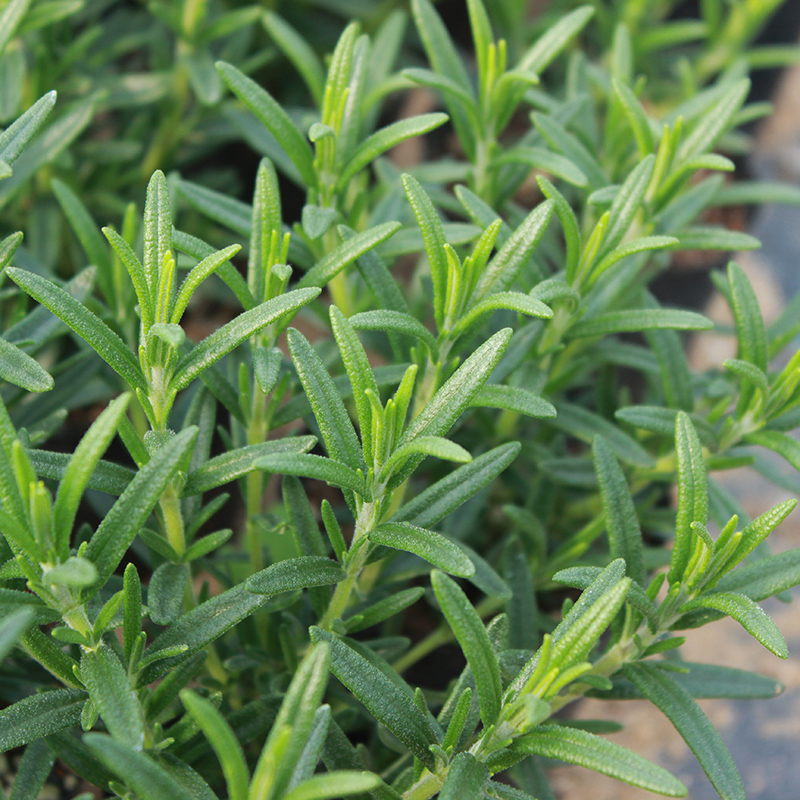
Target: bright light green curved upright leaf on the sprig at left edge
(81, 466)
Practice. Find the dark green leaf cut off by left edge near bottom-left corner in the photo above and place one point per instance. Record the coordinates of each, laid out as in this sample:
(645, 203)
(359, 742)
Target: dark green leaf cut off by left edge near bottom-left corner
(39, 715)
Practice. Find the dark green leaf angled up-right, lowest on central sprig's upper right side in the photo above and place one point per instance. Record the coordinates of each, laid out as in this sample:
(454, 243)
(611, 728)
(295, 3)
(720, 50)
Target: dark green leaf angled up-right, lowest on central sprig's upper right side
(452, 491)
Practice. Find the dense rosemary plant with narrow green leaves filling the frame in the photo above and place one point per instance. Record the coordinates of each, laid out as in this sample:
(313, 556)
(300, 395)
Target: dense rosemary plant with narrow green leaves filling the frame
(500, 352)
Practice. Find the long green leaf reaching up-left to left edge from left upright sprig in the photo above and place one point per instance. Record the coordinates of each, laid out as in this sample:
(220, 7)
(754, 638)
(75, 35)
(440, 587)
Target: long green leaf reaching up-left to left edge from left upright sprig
(88, 326)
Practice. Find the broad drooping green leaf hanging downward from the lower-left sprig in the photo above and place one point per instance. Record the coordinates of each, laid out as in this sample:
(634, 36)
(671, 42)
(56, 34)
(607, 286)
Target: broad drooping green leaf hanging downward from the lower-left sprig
(106, 680)
